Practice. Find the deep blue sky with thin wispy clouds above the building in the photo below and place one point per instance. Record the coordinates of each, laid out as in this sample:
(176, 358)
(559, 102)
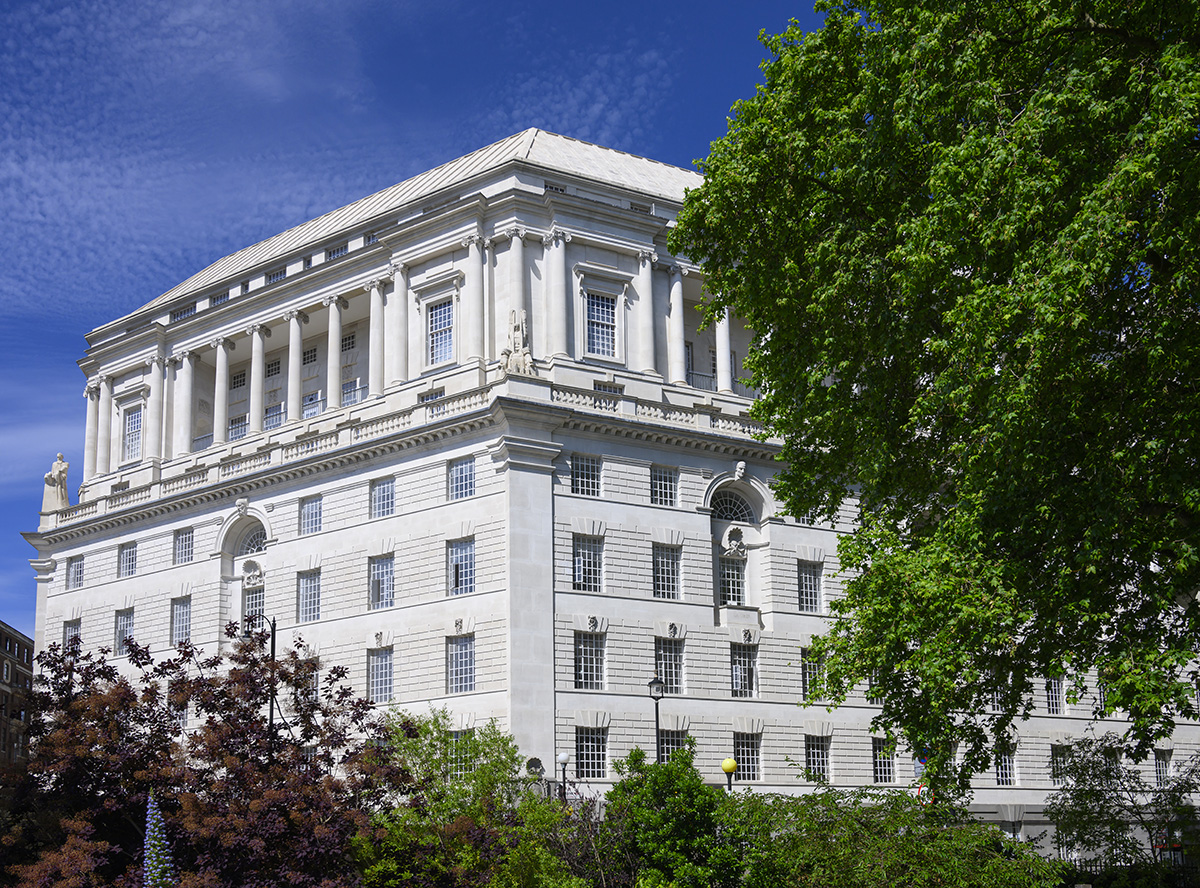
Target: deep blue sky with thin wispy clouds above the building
(140, 141)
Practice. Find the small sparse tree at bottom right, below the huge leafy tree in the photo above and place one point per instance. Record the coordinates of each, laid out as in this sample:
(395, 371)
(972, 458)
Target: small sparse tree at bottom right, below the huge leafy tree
(1106, 808)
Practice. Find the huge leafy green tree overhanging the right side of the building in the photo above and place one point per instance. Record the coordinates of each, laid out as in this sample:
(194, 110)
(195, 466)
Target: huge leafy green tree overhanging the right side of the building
(968, 237)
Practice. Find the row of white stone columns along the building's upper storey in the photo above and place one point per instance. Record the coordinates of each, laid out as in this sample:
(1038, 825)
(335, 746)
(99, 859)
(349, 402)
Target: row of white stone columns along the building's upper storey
(389, 349)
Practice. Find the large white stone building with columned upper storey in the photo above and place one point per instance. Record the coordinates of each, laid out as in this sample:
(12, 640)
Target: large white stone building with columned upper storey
(466, 437)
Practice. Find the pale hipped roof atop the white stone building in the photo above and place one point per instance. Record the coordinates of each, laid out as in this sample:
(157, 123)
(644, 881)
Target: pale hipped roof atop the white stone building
(557, 154)
